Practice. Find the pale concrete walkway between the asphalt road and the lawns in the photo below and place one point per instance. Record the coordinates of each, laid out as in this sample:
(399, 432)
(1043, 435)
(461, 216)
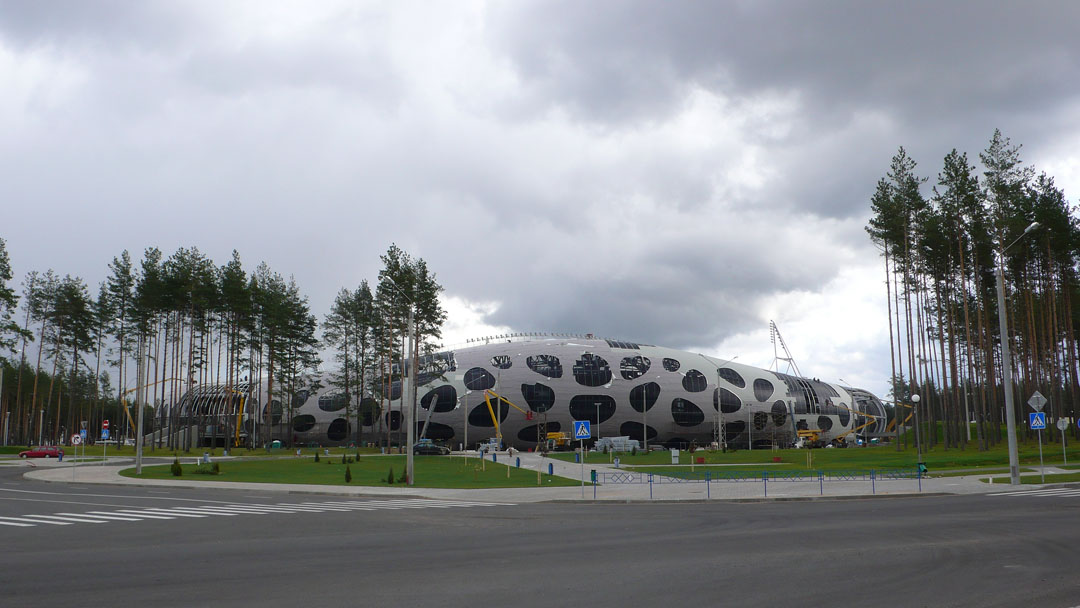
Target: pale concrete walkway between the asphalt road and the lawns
(660, 491)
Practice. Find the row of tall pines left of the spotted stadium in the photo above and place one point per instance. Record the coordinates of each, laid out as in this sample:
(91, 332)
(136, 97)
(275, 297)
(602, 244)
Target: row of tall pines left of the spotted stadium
(159, 328)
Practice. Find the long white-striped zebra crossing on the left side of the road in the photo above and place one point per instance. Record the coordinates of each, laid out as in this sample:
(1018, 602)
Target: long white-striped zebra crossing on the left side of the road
(233, 510)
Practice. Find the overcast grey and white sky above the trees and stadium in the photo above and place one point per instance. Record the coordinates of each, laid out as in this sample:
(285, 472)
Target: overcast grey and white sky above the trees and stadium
(673, 173)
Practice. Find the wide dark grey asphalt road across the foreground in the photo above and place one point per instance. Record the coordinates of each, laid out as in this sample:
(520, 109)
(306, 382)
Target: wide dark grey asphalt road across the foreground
(218, 548)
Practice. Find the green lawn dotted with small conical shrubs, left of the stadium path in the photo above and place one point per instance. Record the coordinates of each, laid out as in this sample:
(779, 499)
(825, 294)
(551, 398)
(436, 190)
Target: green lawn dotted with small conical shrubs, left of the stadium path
(431, 472)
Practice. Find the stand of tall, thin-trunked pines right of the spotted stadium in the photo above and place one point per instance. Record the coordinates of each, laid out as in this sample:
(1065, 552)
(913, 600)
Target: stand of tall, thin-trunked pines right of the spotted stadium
(942, 250)
